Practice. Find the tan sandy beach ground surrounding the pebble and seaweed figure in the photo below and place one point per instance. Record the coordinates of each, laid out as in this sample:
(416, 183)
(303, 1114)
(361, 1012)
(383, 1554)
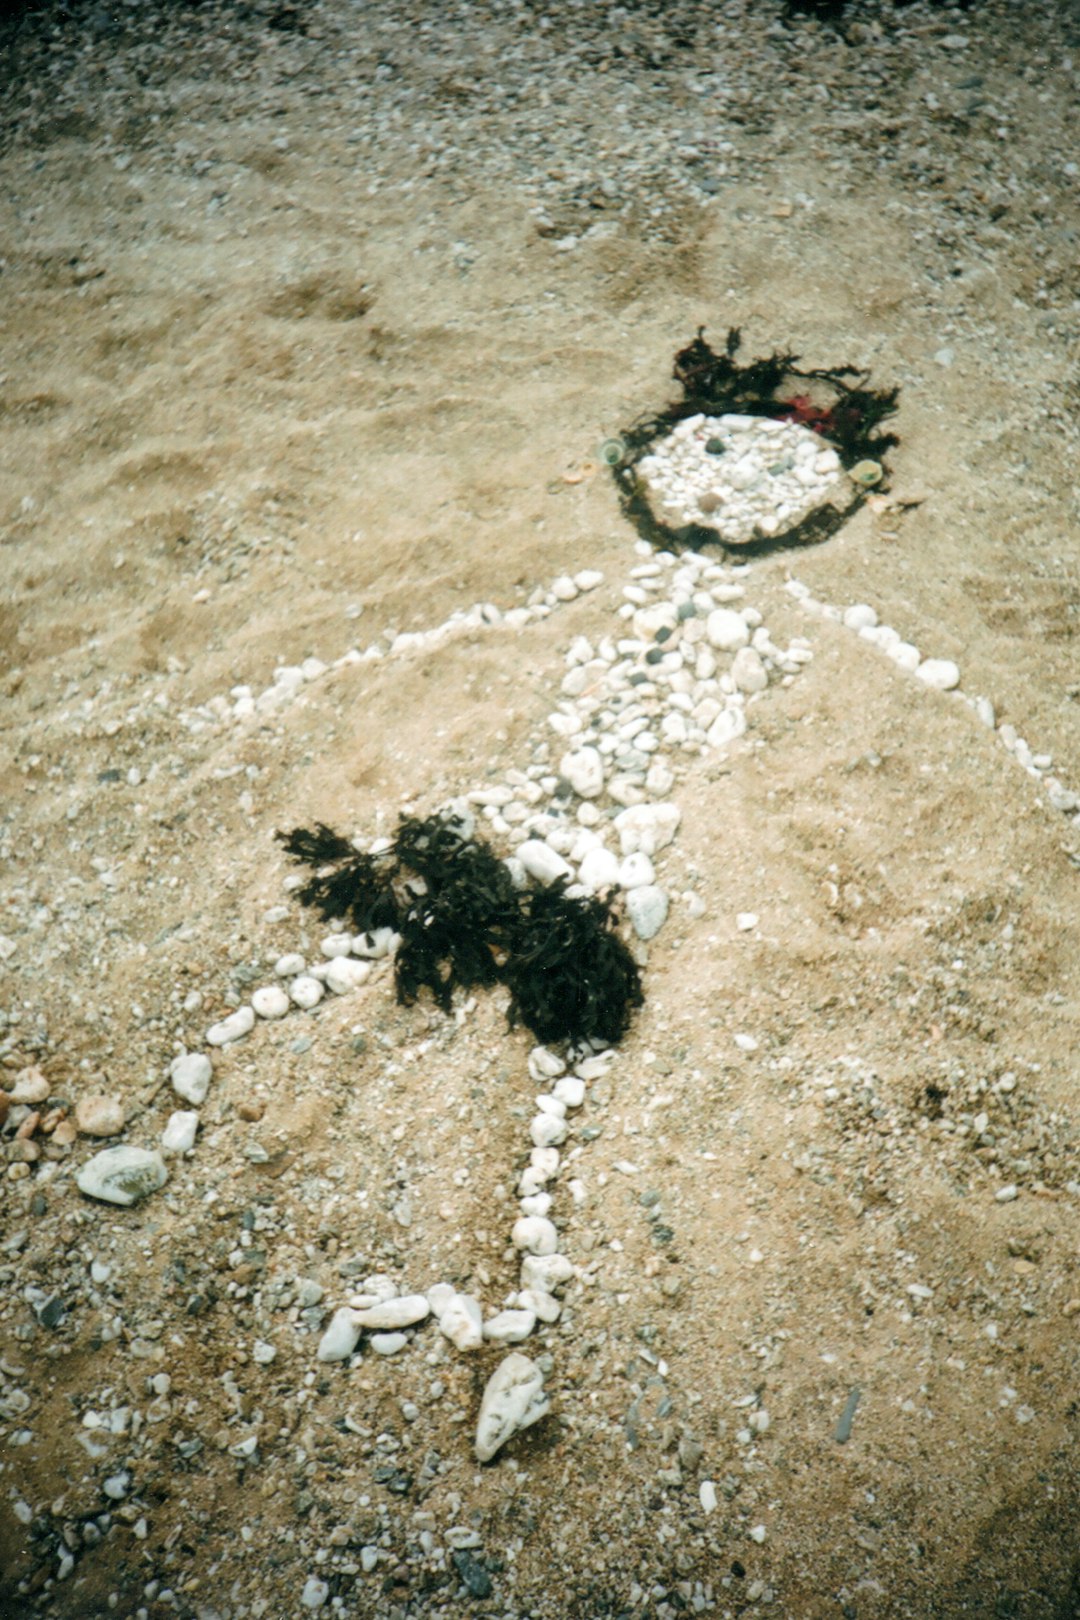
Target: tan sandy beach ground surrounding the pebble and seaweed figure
(307, 344)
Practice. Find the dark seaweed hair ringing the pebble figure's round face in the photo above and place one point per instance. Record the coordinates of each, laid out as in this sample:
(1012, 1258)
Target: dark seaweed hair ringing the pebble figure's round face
(713, 385)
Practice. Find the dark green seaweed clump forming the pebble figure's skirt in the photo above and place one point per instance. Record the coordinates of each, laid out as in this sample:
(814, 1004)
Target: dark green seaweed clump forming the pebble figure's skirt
(462, 923)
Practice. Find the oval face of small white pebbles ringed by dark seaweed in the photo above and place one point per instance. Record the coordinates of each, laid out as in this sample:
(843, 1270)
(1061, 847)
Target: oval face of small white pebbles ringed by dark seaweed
(744, 477)
